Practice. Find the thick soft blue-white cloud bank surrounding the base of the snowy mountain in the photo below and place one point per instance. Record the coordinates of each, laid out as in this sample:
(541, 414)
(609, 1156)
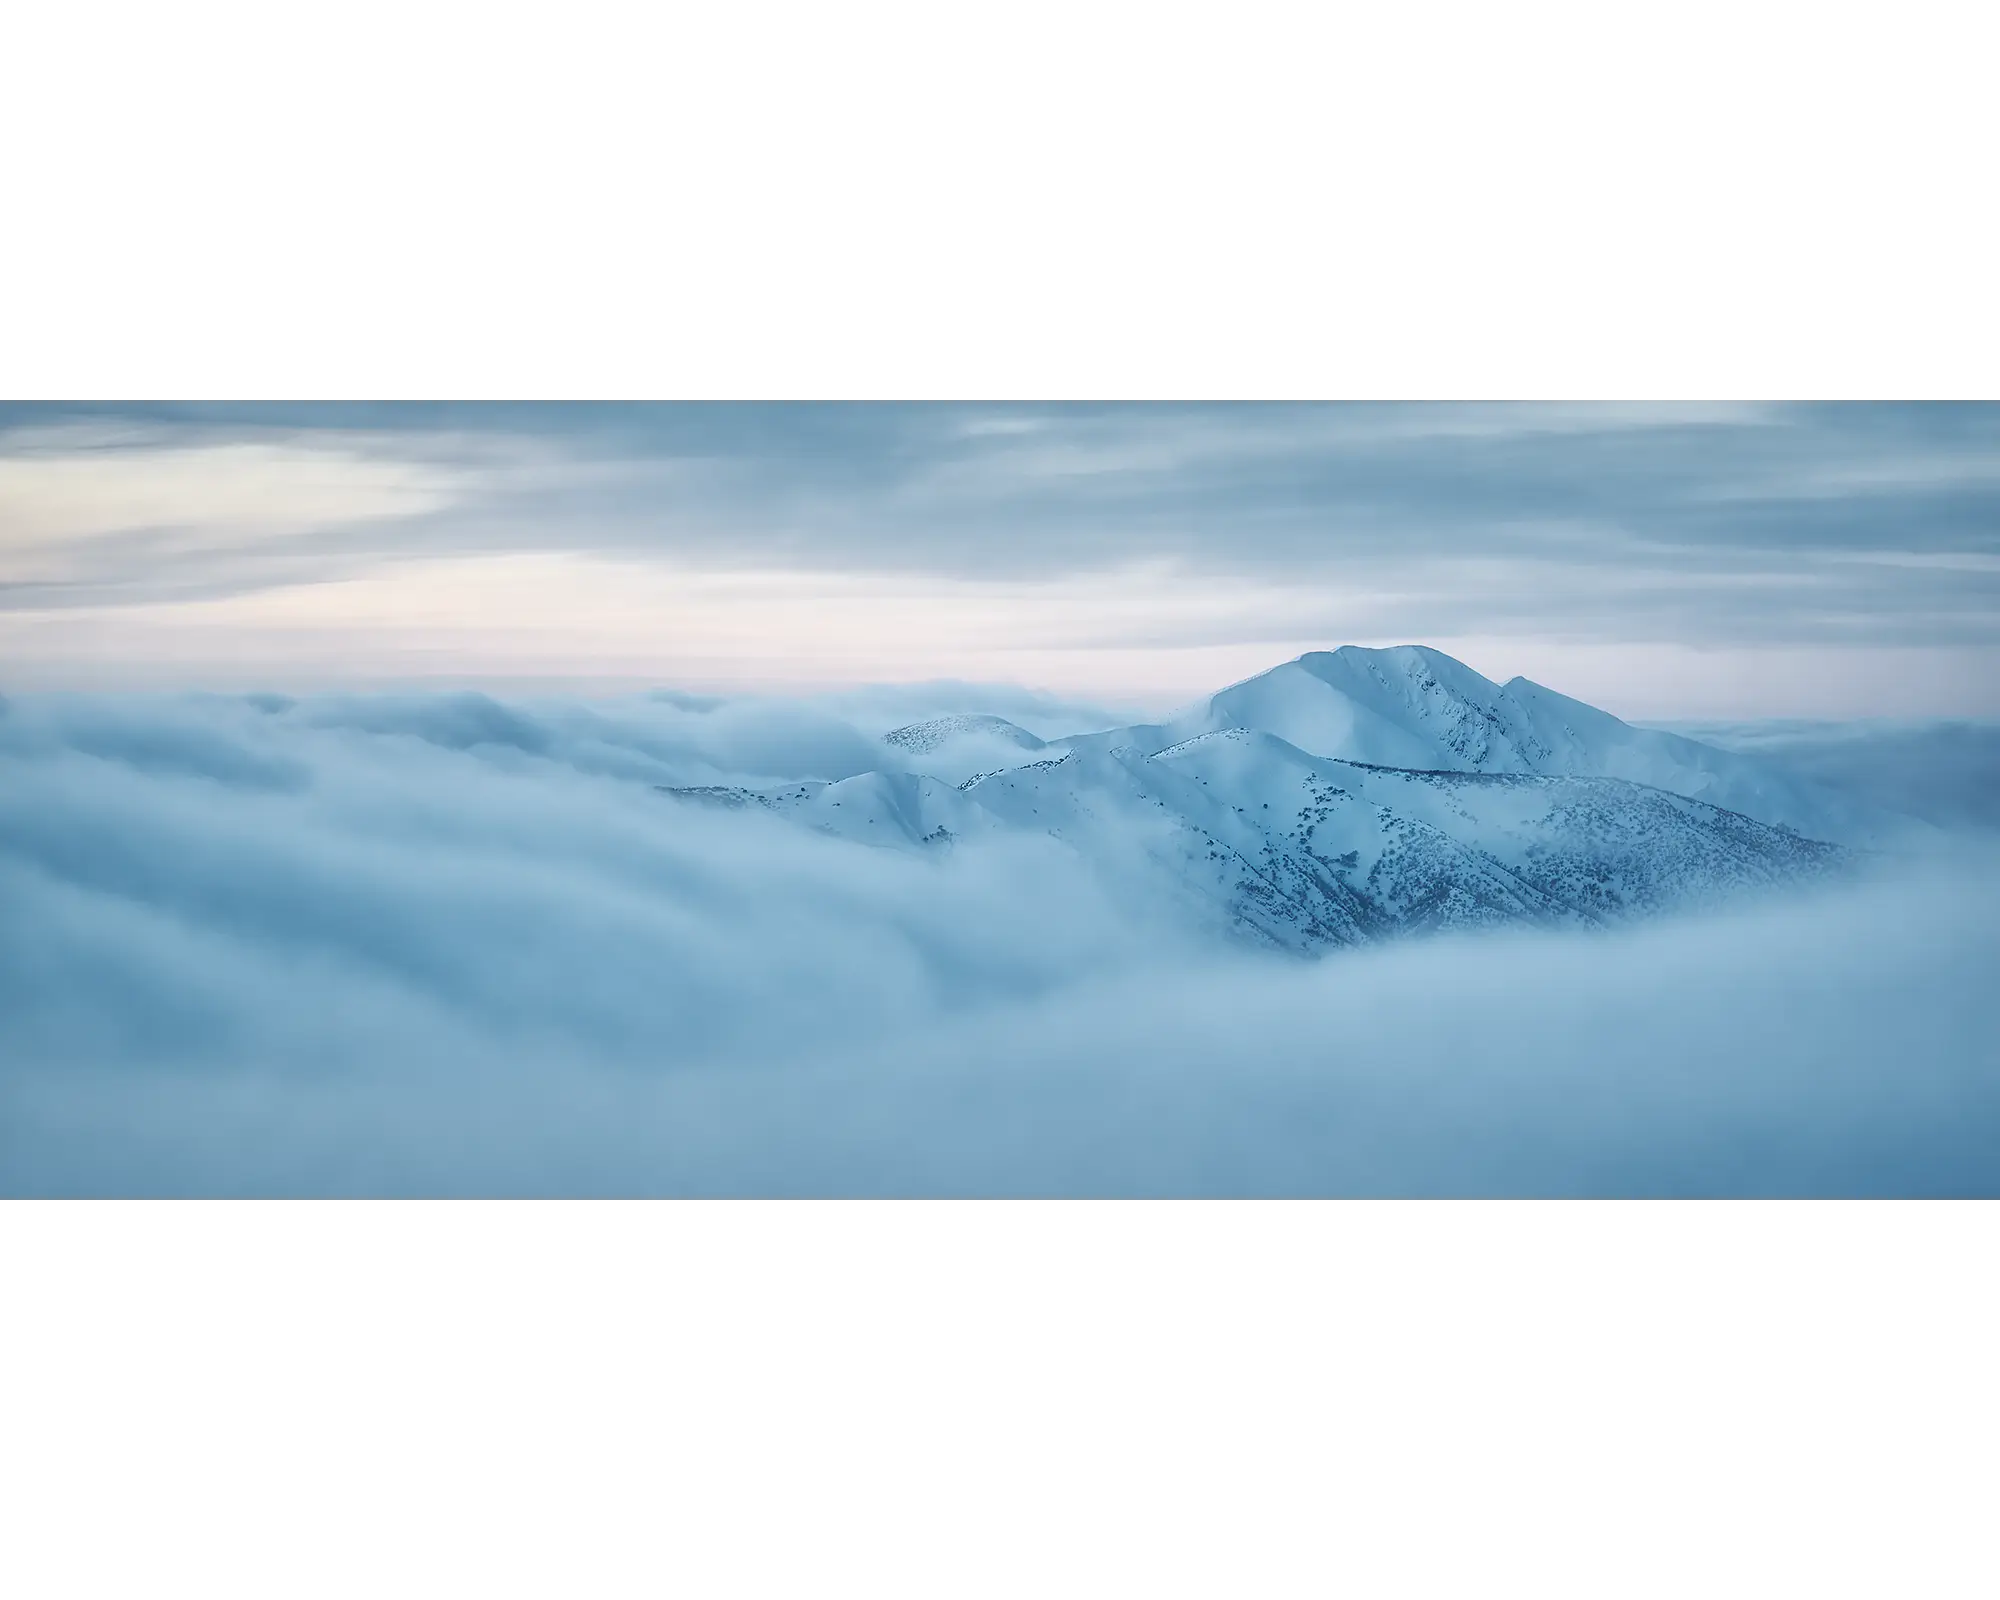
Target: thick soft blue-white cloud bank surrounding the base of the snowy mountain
(455, 947)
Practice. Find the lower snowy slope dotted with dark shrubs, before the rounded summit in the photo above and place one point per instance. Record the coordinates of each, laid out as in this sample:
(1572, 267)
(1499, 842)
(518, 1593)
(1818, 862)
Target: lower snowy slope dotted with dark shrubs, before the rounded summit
(1303, 851)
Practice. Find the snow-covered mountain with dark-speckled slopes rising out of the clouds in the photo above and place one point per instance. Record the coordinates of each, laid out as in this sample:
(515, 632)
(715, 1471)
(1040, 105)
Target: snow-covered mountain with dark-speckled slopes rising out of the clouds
(1355, 795)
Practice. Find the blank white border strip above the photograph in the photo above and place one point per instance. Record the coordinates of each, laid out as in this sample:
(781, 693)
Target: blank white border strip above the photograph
(1549, 199)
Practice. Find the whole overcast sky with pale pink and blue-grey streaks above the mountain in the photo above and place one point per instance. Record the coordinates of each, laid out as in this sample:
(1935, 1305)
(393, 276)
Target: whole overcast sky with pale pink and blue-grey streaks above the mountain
(1661, 561)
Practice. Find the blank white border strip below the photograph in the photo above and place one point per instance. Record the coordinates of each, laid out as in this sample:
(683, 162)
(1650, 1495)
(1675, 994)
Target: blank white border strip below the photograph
(1023, 1399)
